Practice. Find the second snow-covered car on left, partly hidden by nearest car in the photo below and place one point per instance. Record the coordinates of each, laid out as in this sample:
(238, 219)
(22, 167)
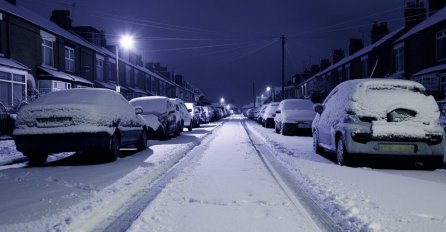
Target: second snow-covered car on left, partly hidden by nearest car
(160, 113)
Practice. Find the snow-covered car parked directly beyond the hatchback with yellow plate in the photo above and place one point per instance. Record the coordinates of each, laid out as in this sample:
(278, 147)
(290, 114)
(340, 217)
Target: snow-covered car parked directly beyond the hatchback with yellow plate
(294, 115)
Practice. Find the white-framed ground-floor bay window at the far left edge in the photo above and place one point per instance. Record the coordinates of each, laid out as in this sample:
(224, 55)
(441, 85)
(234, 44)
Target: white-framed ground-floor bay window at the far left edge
(12, 88)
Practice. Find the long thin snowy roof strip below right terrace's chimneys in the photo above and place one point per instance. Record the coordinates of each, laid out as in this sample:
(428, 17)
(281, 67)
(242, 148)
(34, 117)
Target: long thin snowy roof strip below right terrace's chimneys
(361, 52)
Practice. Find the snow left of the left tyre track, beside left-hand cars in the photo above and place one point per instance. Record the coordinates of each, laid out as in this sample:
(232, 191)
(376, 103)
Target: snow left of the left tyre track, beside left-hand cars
(50, 198)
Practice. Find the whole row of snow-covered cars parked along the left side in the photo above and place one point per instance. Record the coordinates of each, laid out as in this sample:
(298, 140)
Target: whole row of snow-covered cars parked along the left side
(98, 120)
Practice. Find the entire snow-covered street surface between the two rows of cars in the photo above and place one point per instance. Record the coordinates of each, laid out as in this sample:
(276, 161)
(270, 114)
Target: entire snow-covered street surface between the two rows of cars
(223, 185)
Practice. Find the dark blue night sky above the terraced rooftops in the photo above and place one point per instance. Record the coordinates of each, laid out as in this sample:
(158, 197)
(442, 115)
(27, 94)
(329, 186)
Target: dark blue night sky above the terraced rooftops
(223, 46)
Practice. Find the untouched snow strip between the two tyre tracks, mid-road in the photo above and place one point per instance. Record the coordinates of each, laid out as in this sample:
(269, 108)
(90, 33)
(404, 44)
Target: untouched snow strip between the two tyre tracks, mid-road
(227, 189)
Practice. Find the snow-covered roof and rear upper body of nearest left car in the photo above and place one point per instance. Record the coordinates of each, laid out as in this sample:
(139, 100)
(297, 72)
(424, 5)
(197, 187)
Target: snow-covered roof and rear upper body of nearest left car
(74, 111)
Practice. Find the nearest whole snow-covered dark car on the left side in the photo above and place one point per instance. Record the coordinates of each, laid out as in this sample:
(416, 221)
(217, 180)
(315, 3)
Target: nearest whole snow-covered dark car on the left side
(78, 120)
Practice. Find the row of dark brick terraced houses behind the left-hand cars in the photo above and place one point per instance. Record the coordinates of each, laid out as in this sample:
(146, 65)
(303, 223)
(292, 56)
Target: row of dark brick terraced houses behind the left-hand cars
(39, 55)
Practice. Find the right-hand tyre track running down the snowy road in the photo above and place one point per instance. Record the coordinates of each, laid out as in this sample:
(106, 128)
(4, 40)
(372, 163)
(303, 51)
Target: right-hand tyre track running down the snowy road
(290, 186)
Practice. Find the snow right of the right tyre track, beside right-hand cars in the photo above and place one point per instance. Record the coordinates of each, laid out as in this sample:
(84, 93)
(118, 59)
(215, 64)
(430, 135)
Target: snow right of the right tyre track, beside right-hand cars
(363, 199)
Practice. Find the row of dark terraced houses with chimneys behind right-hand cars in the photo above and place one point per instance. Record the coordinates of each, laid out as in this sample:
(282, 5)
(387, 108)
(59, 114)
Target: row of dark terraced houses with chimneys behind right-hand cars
(416, 51)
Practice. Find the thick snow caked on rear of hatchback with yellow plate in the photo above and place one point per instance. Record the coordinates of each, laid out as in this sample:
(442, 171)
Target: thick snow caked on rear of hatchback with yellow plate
(395, 108)
